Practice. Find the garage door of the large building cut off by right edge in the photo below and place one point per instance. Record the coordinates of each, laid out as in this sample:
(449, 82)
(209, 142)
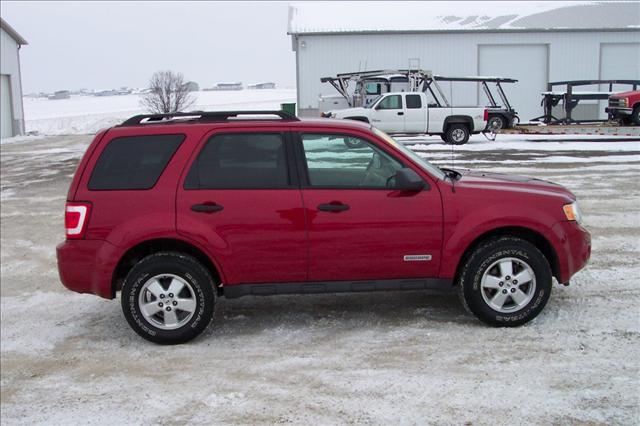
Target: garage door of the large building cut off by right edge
(619, 61)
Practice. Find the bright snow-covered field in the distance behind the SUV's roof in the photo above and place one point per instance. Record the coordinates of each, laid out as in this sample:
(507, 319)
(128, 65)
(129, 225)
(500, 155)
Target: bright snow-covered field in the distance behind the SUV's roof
(88, 114)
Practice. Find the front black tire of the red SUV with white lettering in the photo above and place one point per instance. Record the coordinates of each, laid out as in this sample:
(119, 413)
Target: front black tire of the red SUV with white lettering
(477, 299)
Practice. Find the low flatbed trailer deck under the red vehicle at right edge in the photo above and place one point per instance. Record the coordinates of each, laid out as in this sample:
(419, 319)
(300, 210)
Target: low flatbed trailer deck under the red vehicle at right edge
(600, 129)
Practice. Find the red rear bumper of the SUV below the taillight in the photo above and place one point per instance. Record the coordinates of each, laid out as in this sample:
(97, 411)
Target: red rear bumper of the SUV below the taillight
(86, 266)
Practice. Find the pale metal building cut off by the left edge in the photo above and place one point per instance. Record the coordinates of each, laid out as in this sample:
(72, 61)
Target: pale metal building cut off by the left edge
(11, 110)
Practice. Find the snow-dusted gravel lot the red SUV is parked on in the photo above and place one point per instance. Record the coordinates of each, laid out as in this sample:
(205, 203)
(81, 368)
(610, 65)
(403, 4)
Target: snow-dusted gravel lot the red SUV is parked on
(402, 358)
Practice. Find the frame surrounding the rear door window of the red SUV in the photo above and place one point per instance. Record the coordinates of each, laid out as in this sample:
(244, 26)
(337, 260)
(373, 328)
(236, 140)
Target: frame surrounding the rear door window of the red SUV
(292, 172)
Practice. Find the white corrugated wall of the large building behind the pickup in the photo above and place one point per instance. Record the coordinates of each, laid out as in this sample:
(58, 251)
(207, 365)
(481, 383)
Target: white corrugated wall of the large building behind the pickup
(571, 56)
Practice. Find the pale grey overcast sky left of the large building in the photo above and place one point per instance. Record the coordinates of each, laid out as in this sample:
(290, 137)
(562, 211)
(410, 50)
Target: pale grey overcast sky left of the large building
(103, 45)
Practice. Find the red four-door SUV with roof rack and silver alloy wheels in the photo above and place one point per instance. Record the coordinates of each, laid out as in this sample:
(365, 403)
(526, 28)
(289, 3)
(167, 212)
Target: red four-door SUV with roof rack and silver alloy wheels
(177, 210)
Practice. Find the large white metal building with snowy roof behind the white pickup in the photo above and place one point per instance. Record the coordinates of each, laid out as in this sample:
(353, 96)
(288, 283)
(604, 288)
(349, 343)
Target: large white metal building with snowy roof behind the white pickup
(534, 42)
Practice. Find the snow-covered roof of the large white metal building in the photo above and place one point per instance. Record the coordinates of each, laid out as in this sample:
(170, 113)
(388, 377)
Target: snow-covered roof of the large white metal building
(461, 16)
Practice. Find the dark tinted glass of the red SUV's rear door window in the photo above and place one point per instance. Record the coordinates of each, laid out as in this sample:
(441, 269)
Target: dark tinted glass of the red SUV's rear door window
(241, 161)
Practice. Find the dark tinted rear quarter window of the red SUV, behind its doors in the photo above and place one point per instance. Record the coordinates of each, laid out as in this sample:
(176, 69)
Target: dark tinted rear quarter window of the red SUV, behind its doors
(134, 162)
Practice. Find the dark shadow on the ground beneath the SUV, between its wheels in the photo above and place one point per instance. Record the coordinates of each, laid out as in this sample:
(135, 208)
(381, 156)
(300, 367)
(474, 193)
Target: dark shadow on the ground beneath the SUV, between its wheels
(251, 315)
